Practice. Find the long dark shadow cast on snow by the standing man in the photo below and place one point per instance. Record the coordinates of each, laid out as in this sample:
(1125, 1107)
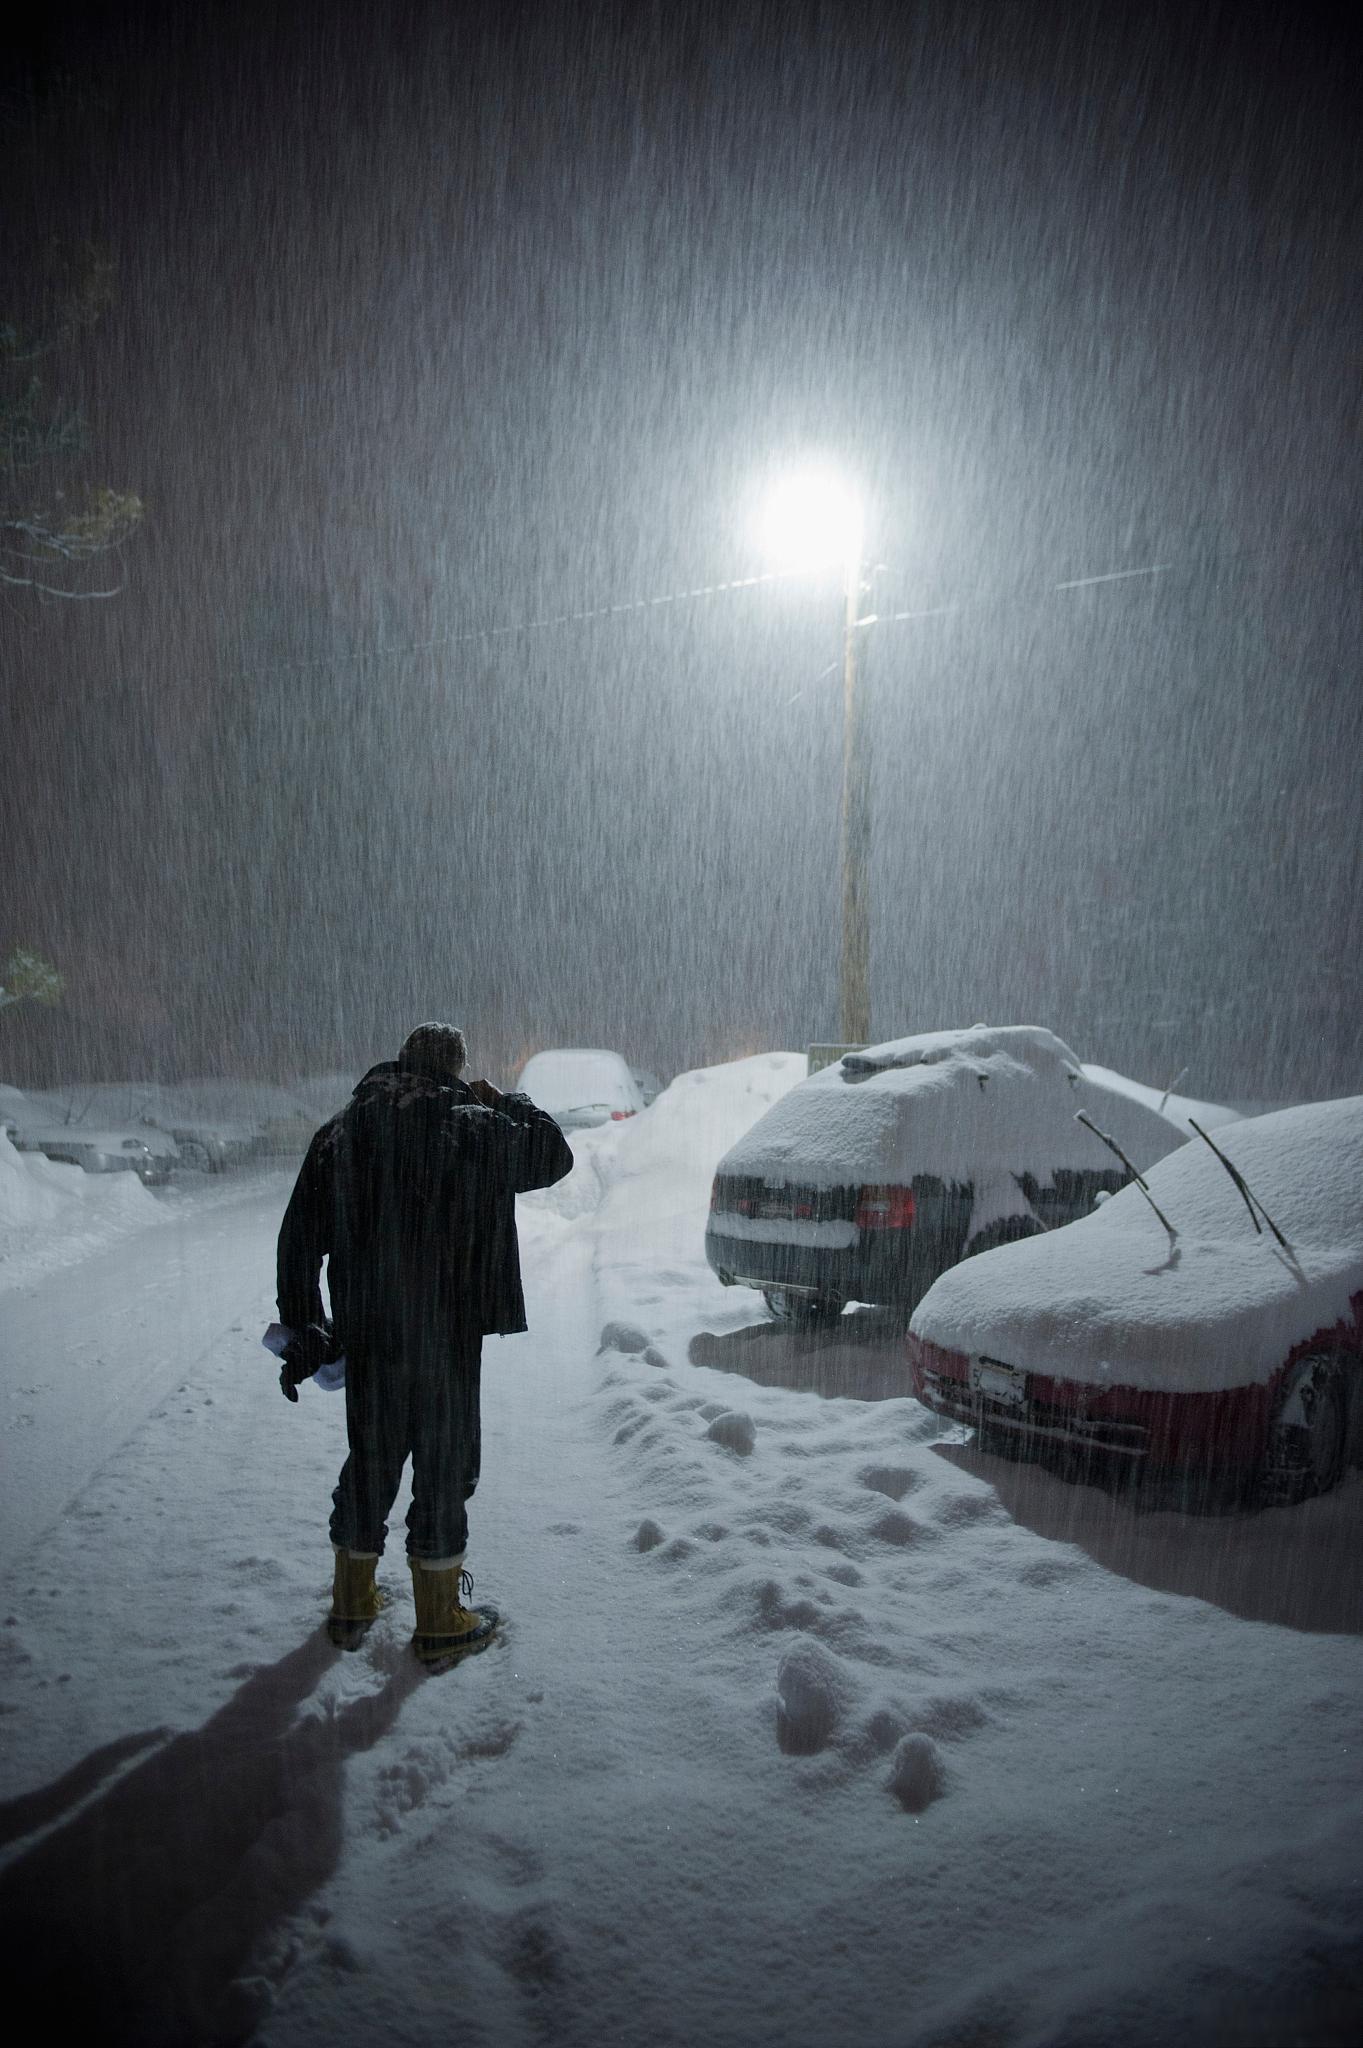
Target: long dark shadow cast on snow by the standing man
(134, 1920)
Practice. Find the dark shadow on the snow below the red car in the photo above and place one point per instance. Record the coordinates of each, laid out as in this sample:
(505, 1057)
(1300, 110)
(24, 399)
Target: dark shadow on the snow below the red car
(1290, 1566)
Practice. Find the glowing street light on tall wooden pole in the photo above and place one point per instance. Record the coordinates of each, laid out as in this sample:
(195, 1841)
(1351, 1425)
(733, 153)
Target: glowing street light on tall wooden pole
(814, 521)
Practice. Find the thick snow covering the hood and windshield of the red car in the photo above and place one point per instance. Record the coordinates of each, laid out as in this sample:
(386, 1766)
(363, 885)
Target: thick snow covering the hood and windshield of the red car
(1114, 1302)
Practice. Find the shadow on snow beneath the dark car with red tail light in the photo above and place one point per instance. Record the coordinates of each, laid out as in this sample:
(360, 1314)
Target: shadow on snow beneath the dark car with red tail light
(861, 1357)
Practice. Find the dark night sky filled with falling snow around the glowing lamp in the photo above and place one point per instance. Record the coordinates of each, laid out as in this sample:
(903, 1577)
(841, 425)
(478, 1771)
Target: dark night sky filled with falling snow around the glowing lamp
(435, 321)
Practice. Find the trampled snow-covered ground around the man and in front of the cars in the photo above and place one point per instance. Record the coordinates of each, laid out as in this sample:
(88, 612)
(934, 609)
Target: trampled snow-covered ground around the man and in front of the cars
(807, 1723)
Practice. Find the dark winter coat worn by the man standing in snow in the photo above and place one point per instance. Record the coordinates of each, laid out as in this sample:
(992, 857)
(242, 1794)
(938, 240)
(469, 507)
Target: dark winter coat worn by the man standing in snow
(410, 1195)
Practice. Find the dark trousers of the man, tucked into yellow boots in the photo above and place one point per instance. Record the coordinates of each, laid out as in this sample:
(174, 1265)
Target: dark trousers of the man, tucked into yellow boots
(421, 1406)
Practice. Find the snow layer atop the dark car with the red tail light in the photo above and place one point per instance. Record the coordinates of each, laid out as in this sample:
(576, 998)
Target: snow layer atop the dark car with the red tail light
(955, 1103)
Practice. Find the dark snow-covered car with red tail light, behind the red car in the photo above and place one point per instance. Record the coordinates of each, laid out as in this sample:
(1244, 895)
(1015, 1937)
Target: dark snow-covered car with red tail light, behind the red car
(881, 1172)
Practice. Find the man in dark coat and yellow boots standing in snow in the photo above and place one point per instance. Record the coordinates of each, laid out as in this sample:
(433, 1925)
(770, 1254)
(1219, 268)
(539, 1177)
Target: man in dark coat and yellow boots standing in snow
(410, 1195)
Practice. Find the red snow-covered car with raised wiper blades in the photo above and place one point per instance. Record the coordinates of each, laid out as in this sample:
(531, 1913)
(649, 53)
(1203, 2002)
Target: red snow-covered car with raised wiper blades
(1213, 1322)
